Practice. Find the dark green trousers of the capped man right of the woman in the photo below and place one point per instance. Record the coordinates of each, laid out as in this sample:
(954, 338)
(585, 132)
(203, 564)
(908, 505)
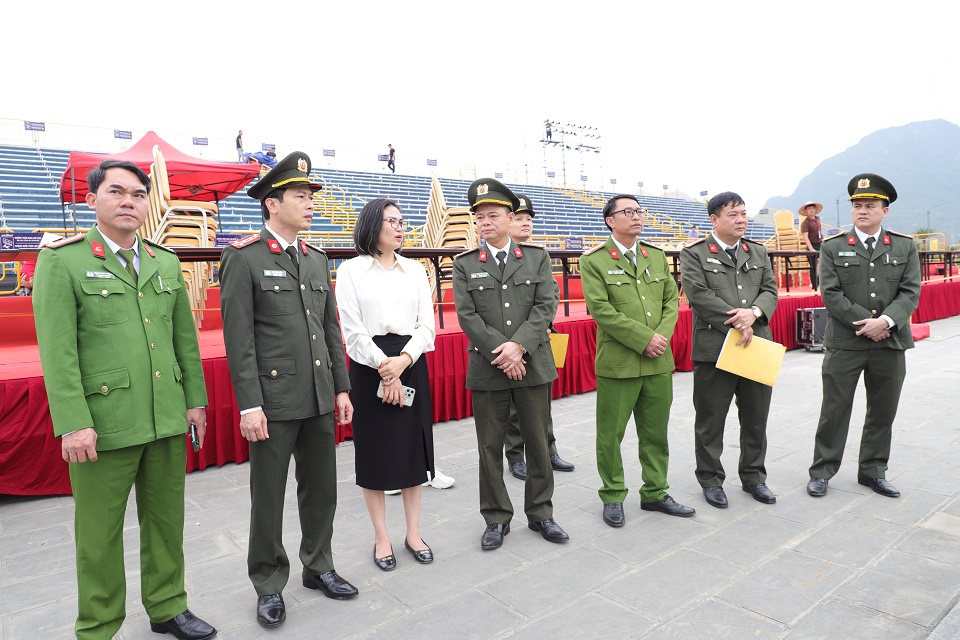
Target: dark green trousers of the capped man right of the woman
(491, 416)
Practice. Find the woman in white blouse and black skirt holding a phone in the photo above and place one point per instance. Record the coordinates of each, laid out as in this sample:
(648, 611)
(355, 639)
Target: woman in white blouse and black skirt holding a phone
(386, 313)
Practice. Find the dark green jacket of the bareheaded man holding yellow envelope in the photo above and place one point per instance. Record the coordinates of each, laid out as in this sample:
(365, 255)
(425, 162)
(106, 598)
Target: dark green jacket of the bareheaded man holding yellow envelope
(713, 285)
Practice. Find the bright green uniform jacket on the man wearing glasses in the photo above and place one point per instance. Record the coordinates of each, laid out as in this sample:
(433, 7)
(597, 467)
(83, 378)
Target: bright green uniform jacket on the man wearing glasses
(629, 304)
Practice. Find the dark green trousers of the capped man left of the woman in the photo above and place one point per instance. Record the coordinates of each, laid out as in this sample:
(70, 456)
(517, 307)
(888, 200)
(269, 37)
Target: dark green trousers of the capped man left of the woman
(312, 443)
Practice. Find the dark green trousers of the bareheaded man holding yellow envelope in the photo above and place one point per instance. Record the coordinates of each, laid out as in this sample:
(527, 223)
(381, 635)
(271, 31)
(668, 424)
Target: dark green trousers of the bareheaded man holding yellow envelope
(713, 389)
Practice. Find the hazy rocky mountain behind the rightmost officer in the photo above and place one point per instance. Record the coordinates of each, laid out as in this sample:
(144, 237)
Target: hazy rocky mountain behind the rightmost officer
(921, 159)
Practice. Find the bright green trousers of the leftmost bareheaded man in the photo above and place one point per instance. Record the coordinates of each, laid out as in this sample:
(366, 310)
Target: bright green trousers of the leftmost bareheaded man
(100, 492)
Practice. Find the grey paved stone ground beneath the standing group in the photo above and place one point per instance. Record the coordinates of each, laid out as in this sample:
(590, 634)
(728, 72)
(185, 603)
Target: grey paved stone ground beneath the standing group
(852, 565)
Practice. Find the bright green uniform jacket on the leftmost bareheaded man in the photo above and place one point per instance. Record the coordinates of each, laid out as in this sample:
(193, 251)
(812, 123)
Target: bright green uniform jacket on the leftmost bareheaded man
(117, 355)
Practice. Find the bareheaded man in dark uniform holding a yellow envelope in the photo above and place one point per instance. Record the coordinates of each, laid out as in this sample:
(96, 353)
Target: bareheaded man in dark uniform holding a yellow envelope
(729, 283)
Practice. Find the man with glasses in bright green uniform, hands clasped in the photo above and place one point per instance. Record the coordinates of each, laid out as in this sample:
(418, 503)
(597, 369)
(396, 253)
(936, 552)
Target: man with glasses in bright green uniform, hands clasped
(633, 299)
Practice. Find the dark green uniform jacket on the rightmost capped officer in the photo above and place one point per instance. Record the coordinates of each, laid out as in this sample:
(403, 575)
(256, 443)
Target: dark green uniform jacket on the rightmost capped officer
(855, 286)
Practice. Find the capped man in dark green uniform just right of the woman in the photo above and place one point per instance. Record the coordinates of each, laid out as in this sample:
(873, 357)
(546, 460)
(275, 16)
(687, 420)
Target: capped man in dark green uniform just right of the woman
(506, 298)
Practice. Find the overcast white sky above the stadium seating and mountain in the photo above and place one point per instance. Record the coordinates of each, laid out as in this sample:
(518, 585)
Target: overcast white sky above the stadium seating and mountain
(746, 96)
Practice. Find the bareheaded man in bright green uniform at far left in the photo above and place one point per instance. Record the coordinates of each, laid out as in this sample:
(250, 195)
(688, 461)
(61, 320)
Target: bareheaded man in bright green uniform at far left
(122, 370)
